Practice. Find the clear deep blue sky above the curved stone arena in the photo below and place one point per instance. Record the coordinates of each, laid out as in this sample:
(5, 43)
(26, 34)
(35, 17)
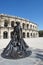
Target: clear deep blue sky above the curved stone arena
(28, 9)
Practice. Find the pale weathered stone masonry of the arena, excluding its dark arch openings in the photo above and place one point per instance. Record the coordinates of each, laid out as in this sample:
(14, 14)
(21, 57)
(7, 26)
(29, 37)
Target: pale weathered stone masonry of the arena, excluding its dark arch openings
(9, 29)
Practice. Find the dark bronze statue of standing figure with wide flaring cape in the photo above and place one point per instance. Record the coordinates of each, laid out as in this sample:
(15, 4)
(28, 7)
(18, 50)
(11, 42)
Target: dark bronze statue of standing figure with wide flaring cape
(17, 48)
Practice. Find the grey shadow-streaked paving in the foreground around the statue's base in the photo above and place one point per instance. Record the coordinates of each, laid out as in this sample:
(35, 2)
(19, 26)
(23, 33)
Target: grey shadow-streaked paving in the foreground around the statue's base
(33, 59)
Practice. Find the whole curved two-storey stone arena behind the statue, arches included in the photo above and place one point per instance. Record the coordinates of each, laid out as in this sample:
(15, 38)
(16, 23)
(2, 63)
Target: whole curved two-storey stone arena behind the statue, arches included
(7, 22)
